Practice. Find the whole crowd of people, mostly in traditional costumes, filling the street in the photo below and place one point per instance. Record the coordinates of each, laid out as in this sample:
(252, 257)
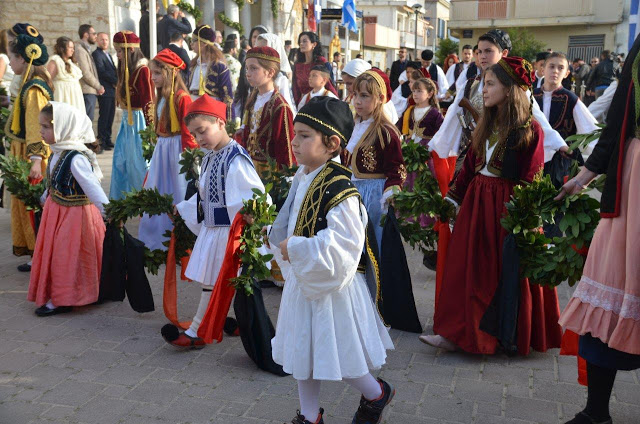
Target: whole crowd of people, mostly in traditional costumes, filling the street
(490, 121)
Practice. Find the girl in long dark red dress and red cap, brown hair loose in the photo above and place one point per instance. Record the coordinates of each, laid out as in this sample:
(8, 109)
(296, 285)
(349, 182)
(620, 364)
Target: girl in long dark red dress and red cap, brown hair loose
(507, 149)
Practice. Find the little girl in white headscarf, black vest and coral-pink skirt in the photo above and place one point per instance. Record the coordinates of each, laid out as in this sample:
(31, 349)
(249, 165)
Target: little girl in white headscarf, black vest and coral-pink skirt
(67, 260)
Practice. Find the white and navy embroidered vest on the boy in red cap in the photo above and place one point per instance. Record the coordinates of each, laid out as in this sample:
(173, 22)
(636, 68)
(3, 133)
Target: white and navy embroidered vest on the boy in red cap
(213, 209)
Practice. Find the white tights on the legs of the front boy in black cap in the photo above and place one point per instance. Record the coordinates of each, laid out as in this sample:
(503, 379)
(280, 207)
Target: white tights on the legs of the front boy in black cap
(309, 393)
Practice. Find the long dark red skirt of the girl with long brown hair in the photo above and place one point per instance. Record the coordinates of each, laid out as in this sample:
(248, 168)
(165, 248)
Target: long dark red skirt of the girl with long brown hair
(472, 272)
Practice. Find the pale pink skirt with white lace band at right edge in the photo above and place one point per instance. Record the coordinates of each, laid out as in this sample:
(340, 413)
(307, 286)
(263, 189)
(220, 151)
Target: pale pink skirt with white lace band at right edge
(606, 302)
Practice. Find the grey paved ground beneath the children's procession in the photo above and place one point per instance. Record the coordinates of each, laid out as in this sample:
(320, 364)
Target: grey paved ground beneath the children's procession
(108, 364)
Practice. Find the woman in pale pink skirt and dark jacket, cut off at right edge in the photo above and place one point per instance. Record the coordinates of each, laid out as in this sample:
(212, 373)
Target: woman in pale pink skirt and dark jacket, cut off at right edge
(605, 307)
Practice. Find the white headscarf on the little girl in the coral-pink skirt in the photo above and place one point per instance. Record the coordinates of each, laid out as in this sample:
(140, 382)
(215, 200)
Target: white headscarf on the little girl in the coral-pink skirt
(73, 130)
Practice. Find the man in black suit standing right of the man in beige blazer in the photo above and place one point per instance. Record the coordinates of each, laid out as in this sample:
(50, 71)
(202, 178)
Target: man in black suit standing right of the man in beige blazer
(108, 77)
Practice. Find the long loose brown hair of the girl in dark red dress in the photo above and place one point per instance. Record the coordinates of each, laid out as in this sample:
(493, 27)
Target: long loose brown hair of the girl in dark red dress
(511, 118)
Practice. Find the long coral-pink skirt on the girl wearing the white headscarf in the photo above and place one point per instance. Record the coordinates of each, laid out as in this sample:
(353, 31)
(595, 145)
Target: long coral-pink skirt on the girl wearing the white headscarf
(68, 256)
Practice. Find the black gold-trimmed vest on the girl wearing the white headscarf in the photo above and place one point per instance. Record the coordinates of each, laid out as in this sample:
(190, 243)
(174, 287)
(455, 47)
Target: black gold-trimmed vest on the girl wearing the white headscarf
(63, 187)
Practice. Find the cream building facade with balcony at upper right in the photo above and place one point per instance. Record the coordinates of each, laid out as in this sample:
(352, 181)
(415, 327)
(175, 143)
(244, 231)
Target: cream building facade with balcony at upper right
(580, 28)
